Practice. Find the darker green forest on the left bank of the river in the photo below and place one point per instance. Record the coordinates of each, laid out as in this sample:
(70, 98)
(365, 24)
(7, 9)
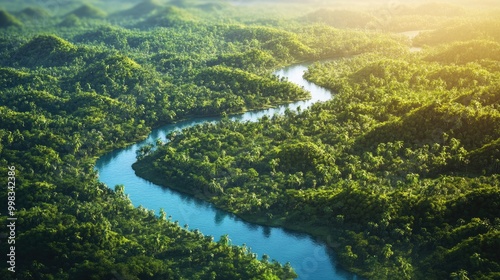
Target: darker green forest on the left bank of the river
(72, 92)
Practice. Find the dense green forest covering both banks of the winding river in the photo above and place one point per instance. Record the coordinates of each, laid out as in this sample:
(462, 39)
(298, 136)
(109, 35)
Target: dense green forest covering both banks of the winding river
(399, 172)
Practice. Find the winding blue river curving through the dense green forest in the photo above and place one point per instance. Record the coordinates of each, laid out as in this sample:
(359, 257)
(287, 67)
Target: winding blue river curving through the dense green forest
(310, 258)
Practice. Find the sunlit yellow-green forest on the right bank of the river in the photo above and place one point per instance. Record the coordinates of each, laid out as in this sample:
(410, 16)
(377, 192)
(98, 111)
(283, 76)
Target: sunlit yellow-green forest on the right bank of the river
(398, 173)
